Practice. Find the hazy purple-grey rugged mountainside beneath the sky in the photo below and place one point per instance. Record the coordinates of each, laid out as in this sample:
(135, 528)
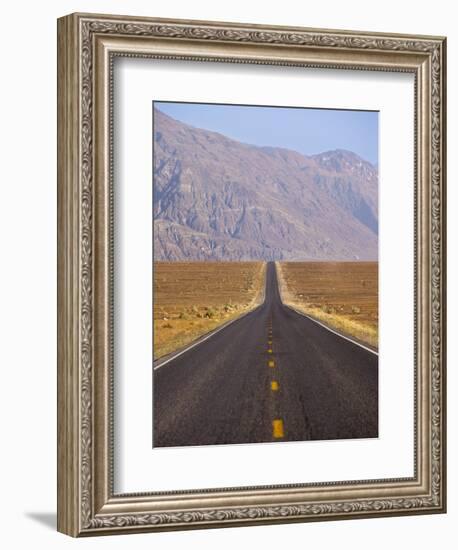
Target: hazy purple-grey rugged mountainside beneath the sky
(218, 199)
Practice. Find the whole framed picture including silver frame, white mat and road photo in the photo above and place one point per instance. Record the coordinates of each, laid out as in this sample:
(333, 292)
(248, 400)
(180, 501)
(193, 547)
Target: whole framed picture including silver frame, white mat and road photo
(251, 290)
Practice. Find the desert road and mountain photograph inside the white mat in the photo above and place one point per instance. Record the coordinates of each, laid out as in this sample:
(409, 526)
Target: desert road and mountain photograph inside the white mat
(265, 274)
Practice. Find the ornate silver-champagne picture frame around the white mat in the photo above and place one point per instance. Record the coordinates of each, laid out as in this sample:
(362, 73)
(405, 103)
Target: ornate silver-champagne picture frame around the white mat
(87, 45)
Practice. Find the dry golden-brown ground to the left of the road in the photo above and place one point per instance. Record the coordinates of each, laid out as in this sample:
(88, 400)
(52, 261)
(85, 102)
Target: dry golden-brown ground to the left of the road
(193, 298)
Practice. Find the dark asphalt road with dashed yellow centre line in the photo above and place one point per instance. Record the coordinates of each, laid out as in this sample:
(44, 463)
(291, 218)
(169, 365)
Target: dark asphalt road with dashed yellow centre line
(311, 385)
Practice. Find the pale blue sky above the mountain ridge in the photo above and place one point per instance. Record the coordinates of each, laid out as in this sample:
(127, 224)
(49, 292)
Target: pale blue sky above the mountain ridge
(308, 131)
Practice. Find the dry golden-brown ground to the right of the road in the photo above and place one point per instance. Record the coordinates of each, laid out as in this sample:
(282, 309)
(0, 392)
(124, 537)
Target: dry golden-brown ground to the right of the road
(343, 295)
